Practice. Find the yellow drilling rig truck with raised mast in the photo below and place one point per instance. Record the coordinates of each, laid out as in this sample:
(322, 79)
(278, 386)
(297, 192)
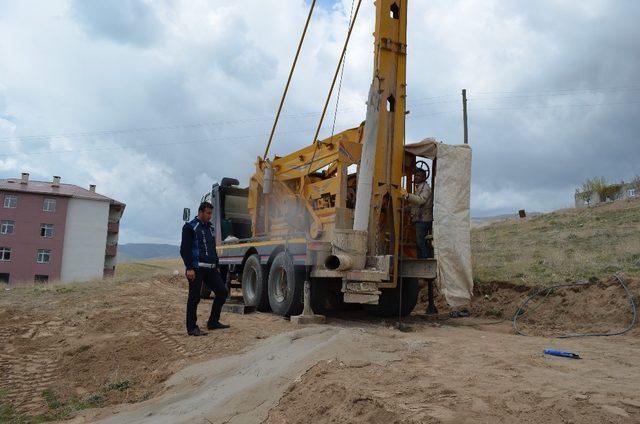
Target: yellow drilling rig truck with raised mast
(333, 212)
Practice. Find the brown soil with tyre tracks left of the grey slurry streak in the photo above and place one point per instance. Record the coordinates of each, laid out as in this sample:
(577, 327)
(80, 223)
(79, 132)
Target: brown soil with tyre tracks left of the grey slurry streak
(90, 340)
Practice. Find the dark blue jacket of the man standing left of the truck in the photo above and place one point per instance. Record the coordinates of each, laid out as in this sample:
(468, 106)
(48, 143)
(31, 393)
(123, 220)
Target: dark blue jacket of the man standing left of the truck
(198, 244)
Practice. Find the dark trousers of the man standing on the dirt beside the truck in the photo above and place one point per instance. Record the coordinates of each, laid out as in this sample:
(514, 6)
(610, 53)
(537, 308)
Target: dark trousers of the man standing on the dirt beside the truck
(211, 278)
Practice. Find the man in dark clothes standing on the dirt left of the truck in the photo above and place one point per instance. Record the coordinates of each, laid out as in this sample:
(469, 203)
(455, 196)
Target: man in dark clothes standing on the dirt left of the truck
(198, 251)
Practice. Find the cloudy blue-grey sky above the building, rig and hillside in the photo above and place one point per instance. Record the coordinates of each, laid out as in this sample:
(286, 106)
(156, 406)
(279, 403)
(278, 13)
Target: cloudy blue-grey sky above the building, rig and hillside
(153, 100)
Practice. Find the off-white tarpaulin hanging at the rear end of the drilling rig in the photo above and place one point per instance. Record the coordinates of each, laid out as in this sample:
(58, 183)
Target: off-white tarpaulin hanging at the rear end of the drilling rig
(451, 218)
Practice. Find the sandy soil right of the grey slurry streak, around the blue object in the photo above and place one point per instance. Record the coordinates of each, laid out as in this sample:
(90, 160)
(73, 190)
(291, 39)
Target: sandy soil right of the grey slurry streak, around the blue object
(465, 375)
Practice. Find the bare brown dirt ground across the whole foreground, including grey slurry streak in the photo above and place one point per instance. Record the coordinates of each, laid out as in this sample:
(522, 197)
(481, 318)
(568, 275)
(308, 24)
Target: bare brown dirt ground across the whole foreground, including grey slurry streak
(116, 351)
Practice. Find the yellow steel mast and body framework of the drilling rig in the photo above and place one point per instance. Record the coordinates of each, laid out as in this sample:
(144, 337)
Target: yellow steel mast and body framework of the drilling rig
(314, 178)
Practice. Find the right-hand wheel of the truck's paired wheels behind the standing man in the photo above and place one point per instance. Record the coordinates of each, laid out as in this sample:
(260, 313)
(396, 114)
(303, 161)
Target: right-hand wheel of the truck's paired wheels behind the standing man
(285, 286)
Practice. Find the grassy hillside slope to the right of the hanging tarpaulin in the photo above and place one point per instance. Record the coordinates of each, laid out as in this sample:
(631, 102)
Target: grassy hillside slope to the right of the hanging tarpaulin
(564, 245)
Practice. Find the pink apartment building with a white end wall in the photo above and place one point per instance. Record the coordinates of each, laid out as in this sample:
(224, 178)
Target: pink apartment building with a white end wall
(56, 232)
